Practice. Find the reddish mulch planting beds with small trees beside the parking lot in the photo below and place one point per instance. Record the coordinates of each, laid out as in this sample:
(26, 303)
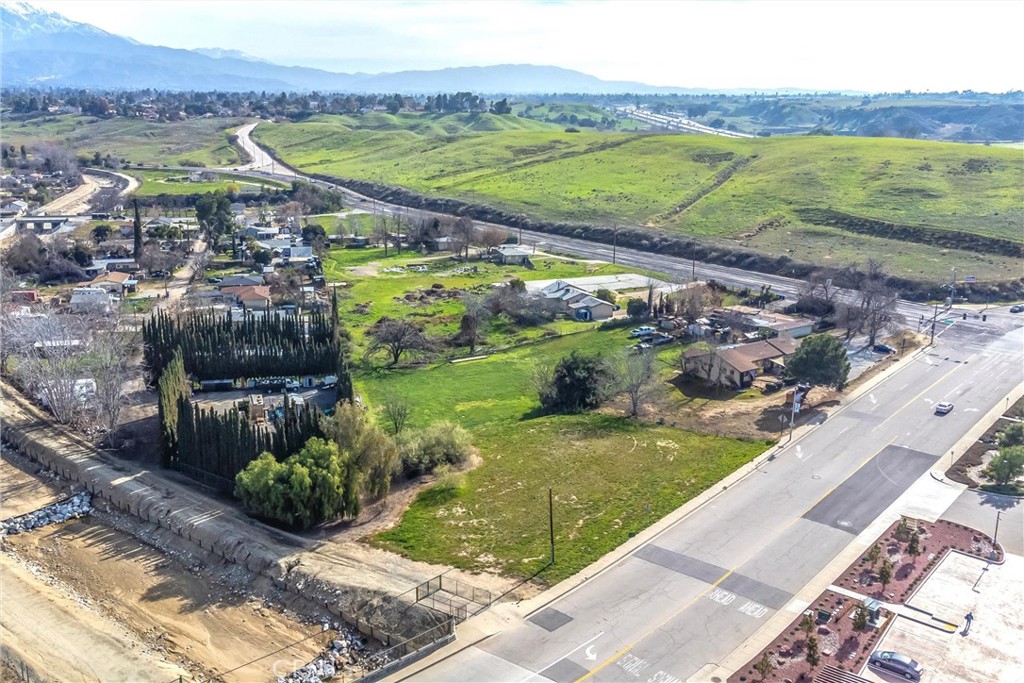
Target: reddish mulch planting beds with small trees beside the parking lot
(838, 628)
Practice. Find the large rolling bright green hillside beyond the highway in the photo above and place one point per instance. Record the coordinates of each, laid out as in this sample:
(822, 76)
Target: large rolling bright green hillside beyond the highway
(637, 180)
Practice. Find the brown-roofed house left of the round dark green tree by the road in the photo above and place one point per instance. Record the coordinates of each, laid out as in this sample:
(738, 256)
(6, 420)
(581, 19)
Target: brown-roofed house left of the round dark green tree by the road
(737, 366)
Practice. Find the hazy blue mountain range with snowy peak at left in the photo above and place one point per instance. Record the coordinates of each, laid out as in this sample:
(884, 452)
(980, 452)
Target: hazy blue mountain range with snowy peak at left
(44, 49)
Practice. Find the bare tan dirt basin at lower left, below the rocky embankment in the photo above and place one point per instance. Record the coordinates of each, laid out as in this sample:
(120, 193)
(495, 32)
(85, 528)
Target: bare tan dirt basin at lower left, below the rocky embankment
(87, 601)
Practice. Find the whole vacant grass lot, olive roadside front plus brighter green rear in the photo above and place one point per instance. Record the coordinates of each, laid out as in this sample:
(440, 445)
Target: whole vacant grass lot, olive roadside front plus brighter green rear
(611, 476)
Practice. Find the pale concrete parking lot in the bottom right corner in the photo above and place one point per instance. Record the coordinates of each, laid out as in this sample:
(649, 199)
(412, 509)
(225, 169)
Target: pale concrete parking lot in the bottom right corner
(993, 651)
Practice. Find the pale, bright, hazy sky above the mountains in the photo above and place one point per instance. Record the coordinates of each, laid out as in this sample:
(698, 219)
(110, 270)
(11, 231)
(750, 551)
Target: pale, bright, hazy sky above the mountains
(870, 46)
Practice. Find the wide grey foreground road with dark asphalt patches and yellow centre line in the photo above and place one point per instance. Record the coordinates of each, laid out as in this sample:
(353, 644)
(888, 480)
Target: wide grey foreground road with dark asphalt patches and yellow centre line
(684, 602)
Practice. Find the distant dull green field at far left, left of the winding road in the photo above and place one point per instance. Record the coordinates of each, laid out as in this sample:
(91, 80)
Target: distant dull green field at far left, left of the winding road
(197, 143)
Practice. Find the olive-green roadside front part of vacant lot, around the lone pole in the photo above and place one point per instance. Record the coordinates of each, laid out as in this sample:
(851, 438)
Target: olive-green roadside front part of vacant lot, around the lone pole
(611, 478)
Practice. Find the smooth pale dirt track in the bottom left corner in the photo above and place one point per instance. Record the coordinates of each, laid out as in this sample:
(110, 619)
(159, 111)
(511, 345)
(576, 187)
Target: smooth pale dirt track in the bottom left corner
(61, 637)
